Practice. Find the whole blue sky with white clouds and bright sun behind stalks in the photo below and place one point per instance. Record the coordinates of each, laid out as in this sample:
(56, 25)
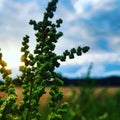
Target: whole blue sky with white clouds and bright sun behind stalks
(94, 23)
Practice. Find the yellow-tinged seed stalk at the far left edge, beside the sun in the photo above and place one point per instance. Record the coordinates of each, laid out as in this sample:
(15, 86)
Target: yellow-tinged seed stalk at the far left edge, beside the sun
(8, 106)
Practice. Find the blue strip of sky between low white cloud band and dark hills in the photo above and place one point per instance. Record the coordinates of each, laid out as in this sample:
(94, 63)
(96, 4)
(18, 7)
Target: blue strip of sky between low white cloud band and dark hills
(80, 70)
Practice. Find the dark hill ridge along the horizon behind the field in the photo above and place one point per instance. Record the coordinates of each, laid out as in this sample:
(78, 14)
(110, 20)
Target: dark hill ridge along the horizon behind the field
(112, 81)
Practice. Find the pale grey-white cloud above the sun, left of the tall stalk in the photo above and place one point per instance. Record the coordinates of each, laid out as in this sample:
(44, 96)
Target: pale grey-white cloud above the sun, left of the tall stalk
(14, 22)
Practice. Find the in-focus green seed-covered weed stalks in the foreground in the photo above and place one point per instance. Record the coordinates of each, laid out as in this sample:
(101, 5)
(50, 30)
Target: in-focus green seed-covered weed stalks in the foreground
(38, 68)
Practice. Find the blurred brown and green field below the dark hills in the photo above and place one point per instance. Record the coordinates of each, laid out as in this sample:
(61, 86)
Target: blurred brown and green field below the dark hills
(85, 103)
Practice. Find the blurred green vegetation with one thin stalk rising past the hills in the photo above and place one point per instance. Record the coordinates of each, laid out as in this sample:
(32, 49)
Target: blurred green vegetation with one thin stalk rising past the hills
(87, 104)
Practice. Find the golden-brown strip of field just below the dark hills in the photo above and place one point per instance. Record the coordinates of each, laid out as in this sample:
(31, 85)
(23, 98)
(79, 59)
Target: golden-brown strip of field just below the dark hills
(66, 90)
